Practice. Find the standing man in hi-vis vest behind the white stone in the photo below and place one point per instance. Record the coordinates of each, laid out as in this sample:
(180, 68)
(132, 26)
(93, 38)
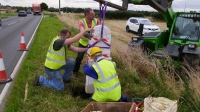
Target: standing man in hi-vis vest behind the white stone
(88, 22)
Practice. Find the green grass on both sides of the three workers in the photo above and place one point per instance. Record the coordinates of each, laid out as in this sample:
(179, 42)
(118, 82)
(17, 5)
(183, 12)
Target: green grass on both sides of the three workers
(42, 99)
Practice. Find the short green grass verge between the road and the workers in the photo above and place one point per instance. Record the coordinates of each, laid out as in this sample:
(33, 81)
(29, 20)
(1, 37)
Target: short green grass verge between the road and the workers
(40, 97)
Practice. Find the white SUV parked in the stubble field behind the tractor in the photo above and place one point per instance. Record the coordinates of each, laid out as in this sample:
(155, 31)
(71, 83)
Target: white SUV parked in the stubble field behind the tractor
(133, 24)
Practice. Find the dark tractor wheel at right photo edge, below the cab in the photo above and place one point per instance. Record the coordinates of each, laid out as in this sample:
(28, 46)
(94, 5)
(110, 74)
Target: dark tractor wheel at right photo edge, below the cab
(191, 61)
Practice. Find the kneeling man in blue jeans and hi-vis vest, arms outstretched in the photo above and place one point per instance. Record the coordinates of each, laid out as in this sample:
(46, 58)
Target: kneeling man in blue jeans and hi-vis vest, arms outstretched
(56, 60)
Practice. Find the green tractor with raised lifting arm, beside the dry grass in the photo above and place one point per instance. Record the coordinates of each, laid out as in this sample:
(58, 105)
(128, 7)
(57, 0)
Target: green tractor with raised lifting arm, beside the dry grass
(180, 41)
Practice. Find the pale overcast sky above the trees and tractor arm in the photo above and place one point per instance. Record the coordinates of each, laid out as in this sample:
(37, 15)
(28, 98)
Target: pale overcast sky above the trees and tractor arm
(178, 5)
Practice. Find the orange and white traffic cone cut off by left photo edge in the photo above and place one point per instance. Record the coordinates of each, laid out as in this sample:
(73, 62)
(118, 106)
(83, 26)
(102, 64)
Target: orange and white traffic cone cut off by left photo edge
(3, 76)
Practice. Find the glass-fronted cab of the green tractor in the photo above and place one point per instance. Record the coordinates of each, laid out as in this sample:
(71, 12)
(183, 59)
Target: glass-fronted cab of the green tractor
(187, 28)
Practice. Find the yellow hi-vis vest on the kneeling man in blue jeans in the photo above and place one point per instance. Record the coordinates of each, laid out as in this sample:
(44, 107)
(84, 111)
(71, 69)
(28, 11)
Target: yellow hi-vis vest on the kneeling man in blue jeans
(55, 59)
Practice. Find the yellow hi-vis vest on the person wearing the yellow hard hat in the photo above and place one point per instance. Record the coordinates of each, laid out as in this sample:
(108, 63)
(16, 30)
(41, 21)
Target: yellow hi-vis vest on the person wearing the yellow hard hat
(107, 87)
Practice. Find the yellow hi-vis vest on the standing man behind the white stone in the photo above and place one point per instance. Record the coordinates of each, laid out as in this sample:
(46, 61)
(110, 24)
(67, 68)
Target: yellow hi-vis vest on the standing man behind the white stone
(84, 40)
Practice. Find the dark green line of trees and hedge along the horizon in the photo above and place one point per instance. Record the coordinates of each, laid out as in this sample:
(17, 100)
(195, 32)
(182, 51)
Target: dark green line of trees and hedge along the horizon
(110, 14)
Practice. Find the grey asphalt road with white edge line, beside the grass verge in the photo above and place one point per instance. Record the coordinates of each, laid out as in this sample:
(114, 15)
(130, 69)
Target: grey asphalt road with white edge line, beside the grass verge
(10, 38)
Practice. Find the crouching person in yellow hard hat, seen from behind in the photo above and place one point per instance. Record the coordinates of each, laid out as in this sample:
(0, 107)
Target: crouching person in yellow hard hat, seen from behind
(106, 84)
